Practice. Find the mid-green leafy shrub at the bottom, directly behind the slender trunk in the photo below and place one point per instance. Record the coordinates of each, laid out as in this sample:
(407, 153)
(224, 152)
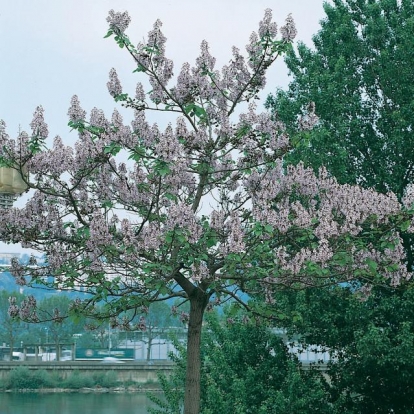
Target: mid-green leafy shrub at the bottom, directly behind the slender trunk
(247, 369)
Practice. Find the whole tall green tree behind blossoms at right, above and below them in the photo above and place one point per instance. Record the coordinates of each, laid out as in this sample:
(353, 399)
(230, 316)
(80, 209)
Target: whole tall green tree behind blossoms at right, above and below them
(360, 77)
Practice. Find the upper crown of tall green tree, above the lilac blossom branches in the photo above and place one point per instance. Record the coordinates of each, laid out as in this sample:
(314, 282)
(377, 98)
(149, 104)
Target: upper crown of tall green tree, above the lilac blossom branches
(361, 78)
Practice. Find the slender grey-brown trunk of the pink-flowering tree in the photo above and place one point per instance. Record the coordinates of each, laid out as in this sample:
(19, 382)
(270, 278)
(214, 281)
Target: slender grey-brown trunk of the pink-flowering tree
(192, 394)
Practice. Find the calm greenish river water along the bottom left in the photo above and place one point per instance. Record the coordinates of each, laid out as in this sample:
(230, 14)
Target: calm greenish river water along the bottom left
(73, 403)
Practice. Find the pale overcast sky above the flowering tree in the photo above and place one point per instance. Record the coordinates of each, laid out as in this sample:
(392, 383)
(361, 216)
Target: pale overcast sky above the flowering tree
(53, 49)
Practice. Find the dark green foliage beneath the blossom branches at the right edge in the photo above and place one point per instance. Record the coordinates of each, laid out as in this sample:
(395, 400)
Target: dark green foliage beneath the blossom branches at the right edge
(372, 341)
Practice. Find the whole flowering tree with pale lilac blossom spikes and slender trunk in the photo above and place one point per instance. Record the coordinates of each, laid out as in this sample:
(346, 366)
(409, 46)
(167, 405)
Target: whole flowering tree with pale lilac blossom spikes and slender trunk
(200, 211)
